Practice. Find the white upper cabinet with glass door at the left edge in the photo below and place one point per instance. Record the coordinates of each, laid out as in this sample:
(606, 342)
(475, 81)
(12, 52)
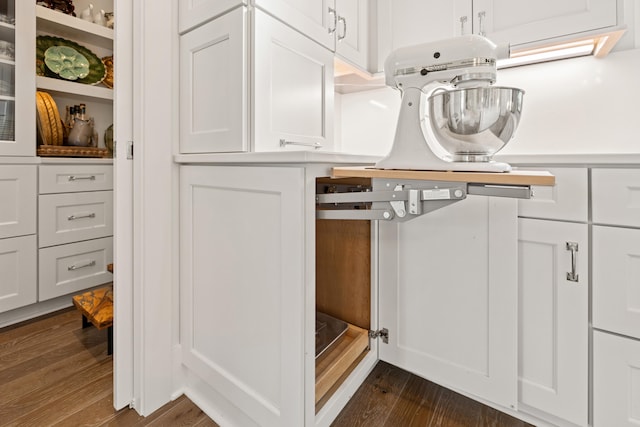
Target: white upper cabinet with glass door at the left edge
(17, 79)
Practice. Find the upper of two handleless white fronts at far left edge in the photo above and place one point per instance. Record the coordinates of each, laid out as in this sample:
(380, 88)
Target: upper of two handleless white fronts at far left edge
(18, 194)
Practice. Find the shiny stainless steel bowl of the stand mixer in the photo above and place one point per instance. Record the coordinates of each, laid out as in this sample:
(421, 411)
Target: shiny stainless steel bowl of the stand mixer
(473, 124)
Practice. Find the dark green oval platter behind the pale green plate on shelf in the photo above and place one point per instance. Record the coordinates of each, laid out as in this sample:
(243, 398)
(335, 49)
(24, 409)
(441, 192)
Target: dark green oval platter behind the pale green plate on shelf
(96, 69)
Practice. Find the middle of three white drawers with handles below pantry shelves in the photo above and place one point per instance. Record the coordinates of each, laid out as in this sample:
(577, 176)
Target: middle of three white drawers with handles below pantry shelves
(66, 218)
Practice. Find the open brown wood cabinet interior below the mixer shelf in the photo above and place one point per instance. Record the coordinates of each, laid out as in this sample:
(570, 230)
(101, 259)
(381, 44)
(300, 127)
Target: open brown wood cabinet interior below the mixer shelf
(343, 292)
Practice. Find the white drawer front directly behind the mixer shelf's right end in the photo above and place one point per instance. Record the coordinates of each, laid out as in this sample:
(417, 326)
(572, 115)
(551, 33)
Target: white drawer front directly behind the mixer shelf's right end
(567, 200)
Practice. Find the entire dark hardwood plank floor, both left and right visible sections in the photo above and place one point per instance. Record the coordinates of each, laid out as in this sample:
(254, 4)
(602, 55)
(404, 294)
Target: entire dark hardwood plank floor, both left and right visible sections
(54, 373)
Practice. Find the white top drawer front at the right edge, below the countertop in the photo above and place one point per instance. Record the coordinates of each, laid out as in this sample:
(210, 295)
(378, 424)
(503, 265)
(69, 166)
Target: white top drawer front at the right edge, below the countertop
(616, 196)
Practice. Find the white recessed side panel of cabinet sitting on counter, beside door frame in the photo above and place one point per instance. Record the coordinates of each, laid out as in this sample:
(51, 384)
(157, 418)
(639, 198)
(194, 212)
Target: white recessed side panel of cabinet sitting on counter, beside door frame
(213, 86)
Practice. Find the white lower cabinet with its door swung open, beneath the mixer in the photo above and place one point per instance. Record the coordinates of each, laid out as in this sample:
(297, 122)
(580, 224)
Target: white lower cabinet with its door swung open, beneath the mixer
(254, 271)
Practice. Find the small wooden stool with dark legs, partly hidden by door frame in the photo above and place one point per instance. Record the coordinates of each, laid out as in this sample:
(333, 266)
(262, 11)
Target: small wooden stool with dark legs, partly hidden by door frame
(96, 307)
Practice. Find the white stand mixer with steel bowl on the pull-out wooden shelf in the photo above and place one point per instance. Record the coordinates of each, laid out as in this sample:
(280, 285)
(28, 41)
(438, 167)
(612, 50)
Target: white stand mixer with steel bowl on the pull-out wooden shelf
(466, 63)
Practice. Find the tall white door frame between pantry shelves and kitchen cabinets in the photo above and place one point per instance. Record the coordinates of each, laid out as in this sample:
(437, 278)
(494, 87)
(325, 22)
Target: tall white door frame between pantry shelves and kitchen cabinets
(146, 293)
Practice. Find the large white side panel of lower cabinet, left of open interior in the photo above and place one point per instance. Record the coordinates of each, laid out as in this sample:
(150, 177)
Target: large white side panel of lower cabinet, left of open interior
(242, 289)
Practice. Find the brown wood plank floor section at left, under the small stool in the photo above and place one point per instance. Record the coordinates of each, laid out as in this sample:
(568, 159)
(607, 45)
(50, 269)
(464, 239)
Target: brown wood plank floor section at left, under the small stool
(54, 373)
